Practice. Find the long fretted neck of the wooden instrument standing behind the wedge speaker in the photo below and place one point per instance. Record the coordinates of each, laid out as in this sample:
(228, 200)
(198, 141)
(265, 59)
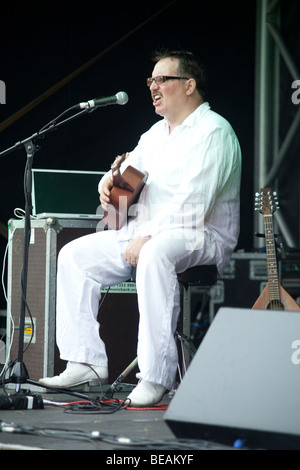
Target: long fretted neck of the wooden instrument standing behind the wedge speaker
(274, 287)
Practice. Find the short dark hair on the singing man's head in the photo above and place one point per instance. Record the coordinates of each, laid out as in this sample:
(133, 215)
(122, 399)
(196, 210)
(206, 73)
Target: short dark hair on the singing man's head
(189, 66)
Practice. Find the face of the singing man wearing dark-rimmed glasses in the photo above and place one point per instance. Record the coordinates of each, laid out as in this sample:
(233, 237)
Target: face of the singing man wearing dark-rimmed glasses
(168, 97)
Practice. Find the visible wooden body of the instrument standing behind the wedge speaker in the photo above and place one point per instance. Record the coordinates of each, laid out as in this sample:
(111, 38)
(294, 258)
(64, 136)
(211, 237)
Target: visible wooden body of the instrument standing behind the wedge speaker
(286, 302)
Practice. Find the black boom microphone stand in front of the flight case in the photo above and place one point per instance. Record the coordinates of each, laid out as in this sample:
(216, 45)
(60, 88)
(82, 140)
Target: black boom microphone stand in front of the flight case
(19, 374)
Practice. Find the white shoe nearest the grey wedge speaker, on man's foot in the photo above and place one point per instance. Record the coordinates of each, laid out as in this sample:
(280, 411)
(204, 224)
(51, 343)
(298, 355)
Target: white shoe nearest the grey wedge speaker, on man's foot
(146, 394)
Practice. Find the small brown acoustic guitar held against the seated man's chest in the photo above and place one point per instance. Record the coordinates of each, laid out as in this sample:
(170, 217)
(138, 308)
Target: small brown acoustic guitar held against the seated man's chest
(124, 193)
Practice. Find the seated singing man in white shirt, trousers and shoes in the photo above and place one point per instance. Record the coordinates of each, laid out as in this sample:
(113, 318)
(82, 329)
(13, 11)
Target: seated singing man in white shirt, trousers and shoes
(188, 215)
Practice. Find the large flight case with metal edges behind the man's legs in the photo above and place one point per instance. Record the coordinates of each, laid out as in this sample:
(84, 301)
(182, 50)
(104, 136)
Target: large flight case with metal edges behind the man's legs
(118, 315)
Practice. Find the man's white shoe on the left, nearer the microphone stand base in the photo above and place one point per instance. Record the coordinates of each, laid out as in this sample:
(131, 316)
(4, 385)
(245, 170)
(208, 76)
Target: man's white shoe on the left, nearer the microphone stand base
(77, 374)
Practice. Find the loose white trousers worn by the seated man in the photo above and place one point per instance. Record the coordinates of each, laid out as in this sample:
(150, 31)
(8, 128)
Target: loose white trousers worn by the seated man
(95, 261)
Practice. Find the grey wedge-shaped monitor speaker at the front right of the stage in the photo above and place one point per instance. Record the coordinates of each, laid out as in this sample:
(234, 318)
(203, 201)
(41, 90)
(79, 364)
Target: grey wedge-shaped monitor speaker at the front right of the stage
(243, 385)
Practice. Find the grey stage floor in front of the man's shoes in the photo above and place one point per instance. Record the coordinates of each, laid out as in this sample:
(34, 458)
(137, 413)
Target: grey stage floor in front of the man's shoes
(112, 428)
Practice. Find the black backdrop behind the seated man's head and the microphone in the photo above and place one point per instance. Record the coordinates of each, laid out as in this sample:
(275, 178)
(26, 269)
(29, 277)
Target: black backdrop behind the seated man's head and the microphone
(43, 42)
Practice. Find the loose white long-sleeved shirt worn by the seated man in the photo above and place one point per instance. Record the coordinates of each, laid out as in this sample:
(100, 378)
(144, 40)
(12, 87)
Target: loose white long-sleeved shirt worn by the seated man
(193, 180)
